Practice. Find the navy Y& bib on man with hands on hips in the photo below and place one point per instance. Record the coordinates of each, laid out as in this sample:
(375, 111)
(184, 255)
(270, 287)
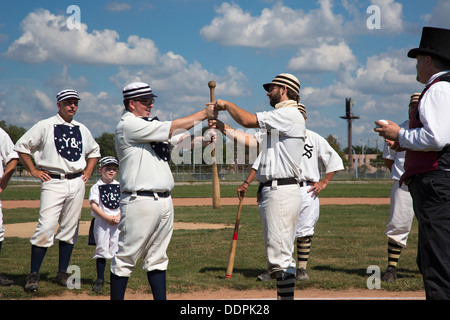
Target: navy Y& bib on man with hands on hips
(68, 142)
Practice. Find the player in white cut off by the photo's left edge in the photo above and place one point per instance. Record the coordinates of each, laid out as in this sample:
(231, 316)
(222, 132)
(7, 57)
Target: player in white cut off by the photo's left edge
(9, 158)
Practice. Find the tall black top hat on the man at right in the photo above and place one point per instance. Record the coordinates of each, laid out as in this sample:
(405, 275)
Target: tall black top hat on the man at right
(434, 41)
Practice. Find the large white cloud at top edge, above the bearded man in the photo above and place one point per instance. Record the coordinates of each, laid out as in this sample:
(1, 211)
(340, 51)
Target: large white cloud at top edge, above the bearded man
(277, 26)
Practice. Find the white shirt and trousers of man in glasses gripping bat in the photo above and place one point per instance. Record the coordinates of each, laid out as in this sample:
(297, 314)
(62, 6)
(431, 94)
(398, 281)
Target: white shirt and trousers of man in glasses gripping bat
(147, 220)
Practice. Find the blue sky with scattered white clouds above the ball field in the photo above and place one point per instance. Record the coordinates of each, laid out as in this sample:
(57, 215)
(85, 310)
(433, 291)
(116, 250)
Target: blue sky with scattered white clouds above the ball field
(177, 46)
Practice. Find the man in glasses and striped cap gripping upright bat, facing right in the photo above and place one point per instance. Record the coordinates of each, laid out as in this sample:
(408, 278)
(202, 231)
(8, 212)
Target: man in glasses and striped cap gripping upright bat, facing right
(146, 182)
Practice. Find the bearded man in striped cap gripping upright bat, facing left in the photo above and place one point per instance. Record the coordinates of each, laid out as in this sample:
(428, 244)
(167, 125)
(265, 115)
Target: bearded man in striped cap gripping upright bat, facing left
(277, 167)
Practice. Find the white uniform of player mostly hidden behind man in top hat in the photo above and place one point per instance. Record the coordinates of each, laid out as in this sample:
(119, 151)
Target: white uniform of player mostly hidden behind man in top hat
(401, 211)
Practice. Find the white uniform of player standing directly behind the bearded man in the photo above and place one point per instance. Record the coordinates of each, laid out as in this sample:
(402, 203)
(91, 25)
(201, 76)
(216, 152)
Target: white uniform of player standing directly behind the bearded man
(317, 151)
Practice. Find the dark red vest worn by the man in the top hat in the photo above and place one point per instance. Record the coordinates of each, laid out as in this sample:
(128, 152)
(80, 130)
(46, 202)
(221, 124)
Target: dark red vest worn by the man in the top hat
(417, 162)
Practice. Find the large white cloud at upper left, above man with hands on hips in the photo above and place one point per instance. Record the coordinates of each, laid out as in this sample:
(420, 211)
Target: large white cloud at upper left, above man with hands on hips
(46, 38)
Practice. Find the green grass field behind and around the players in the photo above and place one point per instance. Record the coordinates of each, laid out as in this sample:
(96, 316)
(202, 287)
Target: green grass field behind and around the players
(348, 239)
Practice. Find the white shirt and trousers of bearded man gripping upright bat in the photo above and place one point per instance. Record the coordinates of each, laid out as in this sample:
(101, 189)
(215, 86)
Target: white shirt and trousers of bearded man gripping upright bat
(282, 139)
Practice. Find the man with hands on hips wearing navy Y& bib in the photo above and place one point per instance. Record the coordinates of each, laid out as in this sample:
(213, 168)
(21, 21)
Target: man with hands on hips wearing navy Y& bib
(65, 153)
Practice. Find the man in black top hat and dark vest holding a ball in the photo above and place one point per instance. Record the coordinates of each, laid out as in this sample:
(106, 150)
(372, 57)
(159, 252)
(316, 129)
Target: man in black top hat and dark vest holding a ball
(427, 163)
